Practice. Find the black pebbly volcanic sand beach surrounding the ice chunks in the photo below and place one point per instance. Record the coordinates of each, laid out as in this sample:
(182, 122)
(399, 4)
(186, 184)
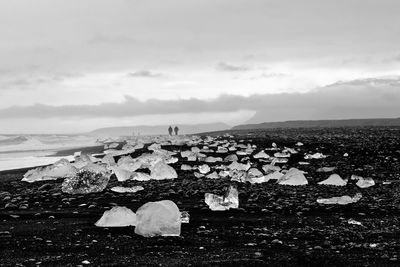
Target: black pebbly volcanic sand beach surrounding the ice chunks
(275, 225)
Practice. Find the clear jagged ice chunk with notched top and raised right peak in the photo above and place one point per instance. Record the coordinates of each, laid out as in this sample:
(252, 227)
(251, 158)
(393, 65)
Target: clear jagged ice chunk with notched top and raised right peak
(219, 203)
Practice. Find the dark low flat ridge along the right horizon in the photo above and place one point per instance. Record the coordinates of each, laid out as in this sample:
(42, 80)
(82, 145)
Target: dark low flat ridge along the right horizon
(321, 123)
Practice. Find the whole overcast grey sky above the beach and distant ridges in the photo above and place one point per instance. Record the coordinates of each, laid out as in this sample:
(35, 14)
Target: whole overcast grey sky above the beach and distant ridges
(77, 65)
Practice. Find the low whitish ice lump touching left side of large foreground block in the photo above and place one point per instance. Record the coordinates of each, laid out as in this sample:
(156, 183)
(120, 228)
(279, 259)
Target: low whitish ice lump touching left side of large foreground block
(117, 217)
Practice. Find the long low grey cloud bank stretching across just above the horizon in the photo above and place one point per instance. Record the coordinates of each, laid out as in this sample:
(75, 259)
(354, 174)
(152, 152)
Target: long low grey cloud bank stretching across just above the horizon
(361, 98)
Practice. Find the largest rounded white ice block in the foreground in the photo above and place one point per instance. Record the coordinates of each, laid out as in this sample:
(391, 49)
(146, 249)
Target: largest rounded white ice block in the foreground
(161, 218)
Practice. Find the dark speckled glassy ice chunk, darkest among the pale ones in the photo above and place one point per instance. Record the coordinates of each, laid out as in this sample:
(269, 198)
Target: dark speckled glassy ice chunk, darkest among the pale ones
(85, 182)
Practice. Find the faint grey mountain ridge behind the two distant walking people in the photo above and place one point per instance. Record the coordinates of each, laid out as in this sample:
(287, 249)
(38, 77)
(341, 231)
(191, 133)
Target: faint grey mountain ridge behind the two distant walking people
(159, 129)
